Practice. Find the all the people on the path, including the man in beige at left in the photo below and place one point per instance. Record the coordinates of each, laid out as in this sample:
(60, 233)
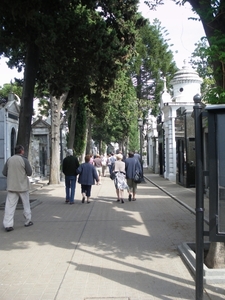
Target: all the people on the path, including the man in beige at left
(17, 169)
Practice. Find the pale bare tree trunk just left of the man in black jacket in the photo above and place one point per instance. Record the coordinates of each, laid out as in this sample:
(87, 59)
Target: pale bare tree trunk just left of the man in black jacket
(56, 107)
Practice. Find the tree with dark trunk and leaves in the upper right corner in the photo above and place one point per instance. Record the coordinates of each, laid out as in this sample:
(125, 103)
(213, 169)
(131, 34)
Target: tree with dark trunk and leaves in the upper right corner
(212, 16)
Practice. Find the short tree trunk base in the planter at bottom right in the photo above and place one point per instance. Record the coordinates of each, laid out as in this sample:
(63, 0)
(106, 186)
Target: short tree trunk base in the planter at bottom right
(215, 258)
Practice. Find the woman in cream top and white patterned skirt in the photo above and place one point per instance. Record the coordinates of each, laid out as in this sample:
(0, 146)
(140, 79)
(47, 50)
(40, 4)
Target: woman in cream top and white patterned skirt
(120, 179)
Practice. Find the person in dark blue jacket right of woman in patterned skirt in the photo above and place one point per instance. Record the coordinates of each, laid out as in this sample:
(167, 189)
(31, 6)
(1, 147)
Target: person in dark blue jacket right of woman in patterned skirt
(131, 166)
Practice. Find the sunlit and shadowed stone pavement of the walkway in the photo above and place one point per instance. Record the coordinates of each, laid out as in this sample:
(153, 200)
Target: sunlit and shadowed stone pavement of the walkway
(104, 250)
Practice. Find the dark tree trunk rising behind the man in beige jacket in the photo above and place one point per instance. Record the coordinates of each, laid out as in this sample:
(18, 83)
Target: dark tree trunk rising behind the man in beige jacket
(26, 107)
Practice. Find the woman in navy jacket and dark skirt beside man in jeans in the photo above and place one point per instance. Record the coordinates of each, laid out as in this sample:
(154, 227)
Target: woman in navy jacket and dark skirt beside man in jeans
(87, 176)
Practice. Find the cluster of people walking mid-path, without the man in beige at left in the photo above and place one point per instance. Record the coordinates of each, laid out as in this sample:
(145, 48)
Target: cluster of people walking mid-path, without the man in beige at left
(90, 173)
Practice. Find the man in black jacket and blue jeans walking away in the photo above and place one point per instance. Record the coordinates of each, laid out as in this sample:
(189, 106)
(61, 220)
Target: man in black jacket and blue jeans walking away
(69, 168)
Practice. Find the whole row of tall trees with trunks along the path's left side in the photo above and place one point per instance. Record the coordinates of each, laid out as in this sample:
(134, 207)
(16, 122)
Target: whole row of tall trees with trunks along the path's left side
(99, 61)
